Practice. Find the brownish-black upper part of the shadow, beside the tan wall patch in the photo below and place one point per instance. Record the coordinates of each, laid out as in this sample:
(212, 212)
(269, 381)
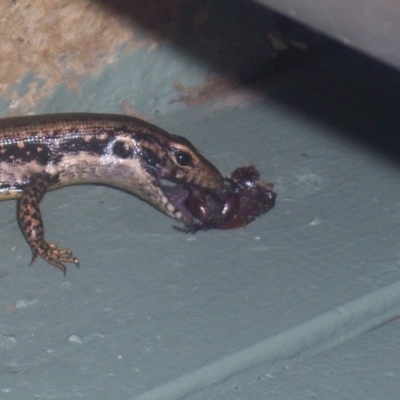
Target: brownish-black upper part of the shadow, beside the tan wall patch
(231, 35)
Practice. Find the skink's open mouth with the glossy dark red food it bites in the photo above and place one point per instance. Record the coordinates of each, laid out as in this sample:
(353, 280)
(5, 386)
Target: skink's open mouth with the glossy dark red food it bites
(242, 198)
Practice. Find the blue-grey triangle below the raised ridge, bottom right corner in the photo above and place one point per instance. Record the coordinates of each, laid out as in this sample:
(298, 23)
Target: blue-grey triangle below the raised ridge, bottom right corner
(363, 368)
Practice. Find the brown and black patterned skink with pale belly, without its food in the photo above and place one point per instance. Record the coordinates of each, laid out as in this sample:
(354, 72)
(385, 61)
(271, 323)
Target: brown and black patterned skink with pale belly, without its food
(46, 152)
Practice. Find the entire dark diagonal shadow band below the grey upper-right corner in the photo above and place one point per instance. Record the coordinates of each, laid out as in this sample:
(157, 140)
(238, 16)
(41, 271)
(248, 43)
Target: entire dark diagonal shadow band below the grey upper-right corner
(349, 91)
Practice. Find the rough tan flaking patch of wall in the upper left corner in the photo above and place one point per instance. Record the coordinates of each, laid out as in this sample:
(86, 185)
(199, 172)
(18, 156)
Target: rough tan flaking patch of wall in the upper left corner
(46, 44)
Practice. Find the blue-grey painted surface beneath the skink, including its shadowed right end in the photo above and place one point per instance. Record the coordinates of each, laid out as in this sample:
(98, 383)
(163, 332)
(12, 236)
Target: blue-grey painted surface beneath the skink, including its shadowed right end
(151, 310)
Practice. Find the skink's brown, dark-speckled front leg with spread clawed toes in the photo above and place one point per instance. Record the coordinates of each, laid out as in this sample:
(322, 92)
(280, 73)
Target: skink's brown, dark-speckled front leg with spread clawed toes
(30, 221)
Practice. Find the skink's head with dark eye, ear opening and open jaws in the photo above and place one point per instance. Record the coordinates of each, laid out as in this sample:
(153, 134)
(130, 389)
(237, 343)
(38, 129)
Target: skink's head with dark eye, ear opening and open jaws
(157, 167)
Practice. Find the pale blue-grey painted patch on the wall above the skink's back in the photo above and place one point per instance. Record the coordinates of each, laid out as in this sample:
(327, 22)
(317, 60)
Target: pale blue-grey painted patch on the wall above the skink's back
(144, 78)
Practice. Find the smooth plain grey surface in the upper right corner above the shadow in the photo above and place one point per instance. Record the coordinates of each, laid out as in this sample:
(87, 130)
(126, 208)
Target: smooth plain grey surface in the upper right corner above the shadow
(367, 25)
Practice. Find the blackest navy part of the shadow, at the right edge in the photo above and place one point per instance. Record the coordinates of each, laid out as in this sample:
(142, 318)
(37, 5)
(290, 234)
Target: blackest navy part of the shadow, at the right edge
(349, 91)
